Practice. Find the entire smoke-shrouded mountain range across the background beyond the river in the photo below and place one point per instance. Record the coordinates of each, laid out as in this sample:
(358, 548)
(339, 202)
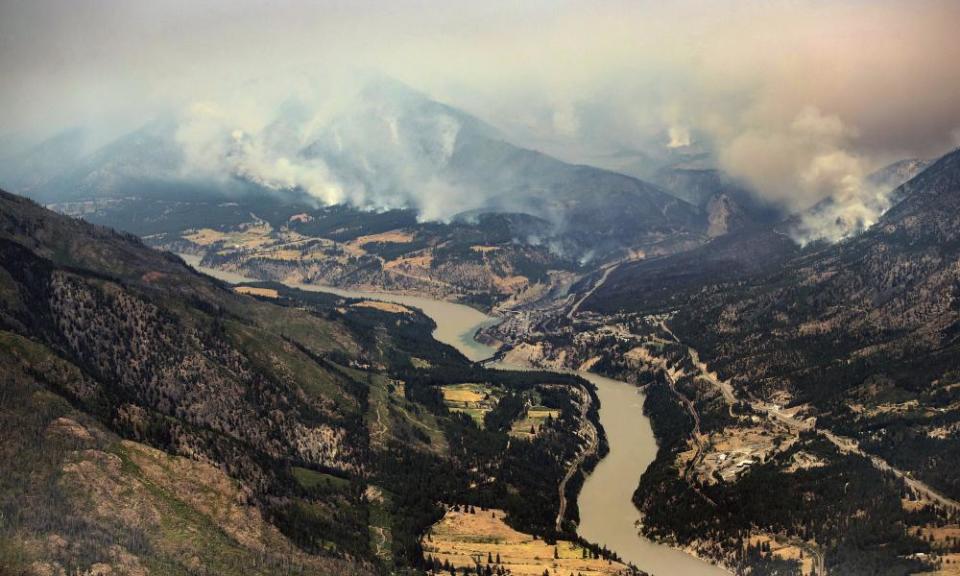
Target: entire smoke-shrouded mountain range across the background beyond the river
(390, 148)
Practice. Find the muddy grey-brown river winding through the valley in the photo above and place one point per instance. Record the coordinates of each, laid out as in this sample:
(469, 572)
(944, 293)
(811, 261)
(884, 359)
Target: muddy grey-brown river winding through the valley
(607, 514)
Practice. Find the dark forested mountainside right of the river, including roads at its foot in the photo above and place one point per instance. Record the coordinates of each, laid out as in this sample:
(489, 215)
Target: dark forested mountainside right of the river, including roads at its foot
(806, 402)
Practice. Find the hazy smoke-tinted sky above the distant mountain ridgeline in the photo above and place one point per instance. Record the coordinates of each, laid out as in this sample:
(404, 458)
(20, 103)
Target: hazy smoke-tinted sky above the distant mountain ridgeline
(795, 95)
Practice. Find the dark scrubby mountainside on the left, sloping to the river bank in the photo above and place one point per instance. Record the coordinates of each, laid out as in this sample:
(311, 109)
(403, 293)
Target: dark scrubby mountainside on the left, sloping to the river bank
(156, 420)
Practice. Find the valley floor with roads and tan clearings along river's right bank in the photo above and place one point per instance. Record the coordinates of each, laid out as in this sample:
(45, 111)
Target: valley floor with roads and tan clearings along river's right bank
(732, 437)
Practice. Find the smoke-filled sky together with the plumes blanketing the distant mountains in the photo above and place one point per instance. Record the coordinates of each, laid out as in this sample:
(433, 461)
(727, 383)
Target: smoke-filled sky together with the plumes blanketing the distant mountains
(746, 89)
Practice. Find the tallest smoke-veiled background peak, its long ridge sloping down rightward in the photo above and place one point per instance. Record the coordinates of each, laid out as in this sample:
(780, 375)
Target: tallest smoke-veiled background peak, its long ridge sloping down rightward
(398, 143)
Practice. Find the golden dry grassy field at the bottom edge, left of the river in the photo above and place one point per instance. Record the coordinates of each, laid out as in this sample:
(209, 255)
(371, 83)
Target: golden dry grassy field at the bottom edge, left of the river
(464, 540)
